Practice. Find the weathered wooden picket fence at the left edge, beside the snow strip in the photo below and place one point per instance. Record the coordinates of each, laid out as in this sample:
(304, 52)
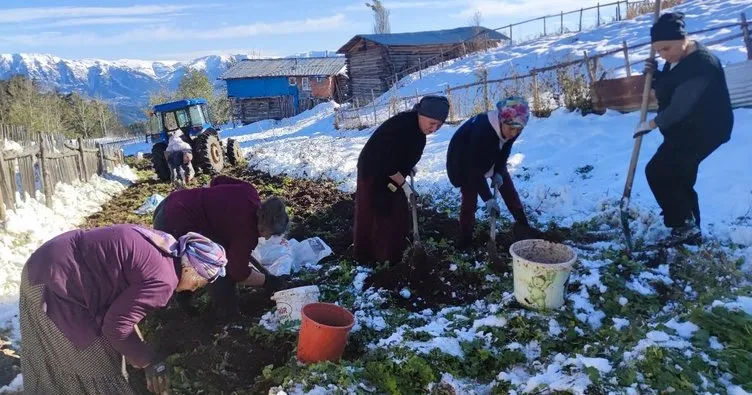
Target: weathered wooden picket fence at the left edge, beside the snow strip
(33, 163)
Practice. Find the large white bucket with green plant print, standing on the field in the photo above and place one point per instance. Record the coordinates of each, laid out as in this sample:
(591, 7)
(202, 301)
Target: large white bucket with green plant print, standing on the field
(541, 272)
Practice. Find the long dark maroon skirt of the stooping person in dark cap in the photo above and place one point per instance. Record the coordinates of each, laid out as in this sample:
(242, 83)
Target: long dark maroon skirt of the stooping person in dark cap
(380, 233)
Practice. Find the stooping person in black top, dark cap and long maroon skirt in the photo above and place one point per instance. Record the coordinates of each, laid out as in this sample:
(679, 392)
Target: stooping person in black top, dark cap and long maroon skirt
(382, 193)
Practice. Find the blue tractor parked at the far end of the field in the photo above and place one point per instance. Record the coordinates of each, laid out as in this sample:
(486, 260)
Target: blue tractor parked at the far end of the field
(192, 117)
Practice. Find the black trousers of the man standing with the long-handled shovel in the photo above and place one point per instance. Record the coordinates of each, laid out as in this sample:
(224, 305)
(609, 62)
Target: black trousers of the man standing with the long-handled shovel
(672, 173)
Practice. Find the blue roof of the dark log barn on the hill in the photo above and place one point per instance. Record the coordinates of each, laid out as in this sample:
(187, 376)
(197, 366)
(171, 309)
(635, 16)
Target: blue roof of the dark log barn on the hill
(434, 37)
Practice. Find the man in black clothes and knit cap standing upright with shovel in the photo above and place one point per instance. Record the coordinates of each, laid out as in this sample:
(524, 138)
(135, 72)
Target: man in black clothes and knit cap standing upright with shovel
(694, 117)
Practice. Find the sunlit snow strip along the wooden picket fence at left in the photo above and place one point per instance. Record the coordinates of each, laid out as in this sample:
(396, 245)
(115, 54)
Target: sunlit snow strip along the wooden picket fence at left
(33, 223)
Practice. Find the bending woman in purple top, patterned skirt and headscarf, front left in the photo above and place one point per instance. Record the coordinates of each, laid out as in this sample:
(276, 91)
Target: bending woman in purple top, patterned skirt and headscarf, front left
(82, 294)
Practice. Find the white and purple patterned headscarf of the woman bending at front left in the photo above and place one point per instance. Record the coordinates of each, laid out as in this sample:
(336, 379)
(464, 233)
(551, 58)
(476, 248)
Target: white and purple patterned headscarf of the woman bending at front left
(202, 254)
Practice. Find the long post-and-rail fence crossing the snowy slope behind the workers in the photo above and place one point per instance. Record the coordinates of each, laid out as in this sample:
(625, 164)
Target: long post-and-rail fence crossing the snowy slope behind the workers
(472, 98)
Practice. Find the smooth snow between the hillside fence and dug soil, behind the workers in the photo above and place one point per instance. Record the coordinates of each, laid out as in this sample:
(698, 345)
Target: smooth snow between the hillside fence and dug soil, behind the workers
(566, 167)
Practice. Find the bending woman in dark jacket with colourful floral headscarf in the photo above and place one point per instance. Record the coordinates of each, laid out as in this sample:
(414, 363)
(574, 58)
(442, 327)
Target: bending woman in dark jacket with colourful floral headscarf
(478, 151)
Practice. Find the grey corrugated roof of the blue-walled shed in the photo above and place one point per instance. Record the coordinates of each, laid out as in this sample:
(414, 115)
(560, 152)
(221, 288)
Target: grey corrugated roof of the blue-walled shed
(287, 67)
